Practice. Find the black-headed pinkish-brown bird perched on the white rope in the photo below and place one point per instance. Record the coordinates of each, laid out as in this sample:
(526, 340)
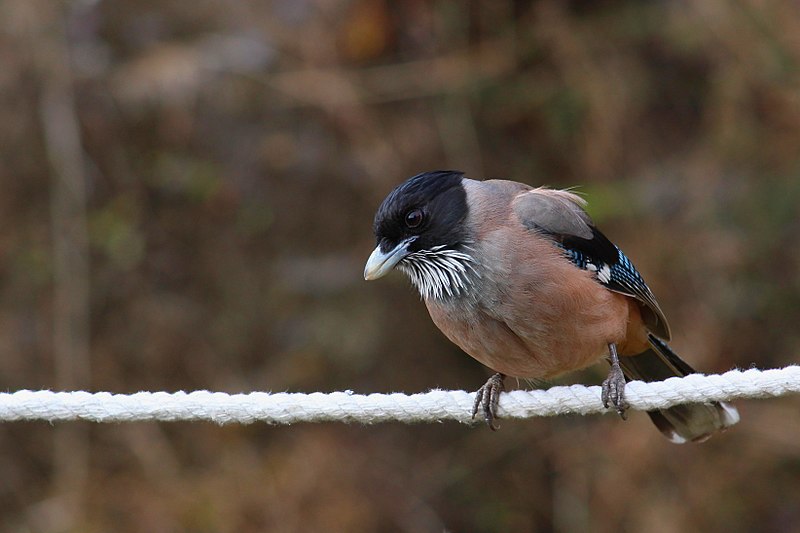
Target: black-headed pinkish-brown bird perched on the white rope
(521, 279)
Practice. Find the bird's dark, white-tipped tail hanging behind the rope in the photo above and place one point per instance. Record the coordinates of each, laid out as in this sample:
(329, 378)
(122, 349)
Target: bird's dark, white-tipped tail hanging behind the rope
(681, 423)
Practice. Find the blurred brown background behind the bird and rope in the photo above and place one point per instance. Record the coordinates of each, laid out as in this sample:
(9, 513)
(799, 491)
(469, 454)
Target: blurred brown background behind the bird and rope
(186, 199)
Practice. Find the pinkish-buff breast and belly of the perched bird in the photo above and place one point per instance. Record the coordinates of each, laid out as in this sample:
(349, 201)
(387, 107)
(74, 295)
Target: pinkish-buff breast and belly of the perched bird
(533, 314)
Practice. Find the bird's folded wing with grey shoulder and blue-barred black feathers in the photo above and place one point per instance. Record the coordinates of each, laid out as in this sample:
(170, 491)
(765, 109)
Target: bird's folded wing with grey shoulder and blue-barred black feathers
(560, 215)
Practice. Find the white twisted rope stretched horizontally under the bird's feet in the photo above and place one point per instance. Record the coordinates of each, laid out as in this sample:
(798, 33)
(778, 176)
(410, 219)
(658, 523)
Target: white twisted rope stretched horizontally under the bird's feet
(436, 405)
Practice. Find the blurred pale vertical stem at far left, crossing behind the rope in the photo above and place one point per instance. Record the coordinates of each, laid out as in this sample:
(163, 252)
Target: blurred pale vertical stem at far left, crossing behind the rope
(70, 250)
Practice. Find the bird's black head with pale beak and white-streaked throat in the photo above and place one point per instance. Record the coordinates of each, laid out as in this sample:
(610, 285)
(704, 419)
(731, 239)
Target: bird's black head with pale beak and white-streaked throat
(420, 229)
